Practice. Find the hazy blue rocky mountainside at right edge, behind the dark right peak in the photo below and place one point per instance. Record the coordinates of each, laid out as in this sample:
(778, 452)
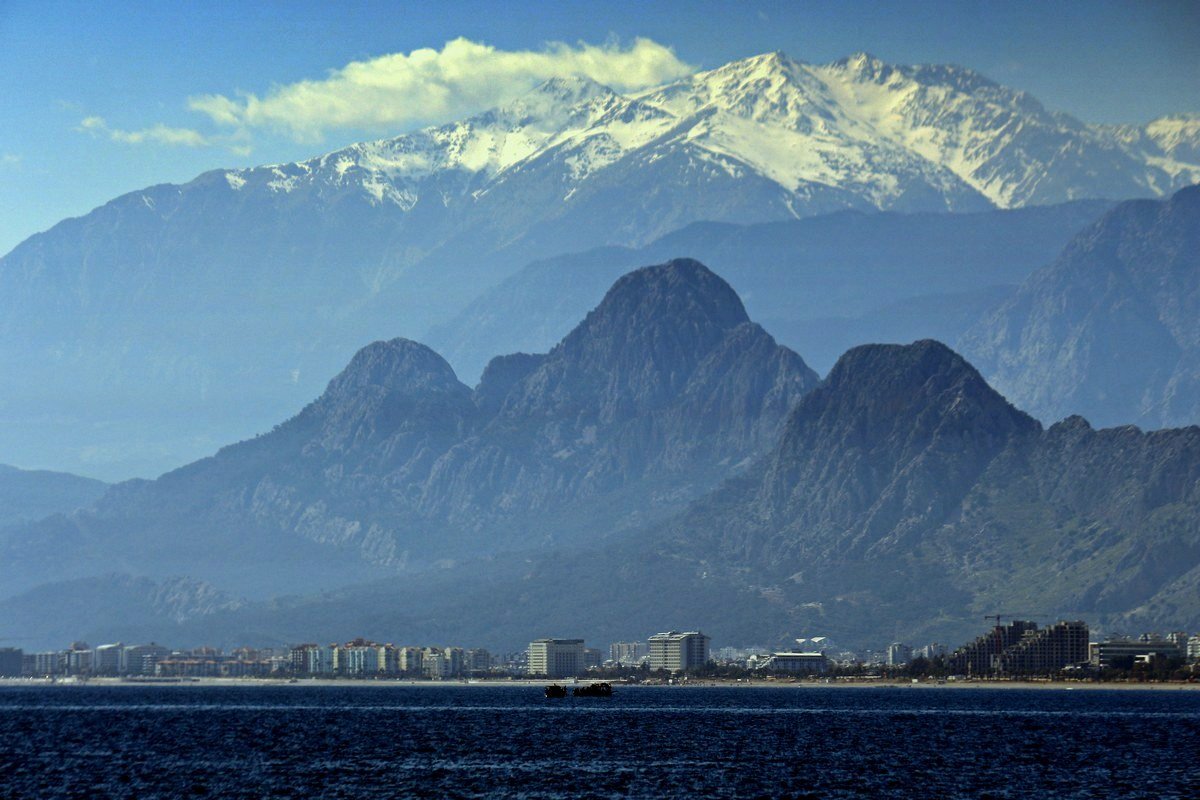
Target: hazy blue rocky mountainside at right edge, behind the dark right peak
(1111, 329)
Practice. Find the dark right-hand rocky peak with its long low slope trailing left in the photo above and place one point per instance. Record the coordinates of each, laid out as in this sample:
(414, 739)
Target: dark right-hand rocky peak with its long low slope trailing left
(905, 500)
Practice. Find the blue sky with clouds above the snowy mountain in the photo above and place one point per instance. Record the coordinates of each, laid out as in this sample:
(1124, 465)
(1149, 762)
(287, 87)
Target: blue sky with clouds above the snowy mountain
(101, 99)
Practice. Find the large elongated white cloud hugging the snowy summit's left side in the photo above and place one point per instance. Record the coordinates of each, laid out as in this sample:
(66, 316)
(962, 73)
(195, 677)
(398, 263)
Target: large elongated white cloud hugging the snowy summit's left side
(428, 86)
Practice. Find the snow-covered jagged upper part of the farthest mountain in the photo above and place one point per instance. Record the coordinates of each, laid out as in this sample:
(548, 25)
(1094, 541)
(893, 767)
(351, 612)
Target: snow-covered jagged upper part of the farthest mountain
(877, 135)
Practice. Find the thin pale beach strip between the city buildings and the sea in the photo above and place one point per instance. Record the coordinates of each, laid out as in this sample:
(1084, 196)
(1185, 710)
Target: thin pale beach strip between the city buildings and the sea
(524, 683)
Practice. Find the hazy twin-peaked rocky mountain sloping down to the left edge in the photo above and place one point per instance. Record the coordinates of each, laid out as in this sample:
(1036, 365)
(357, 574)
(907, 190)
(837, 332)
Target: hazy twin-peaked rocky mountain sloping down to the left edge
(662, 393)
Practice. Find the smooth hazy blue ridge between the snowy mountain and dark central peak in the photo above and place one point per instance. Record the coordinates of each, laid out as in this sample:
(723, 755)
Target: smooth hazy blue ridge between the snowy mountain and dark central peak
(820, 285)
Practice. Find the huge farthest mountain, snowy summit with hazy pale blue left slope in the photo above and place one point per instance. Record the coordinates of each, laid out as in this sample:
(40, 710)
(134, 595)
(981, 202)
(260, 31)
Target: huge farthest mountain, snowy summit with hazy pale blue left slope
(299, 264)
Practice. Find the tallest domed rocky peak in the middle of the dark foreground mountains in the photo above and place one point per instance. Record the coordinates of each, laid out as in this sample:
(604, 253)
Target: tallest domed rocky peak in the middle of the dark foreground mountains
(667, 386)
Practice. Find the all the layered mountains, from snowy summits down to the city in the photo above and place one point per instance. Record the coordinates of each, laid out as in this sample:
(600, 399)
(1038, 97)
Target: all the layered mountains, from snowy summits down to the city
(650, 452)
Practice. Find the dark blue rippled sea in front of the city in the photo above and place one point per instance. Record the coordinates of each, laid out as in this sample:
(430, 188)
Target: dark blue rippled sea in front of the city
(267, 742)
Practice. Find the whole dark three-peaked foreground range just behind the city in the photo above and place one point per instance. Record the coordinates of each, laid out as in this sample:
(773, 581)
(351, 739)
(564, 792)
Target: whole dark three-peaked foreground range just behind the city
(665, 465)
